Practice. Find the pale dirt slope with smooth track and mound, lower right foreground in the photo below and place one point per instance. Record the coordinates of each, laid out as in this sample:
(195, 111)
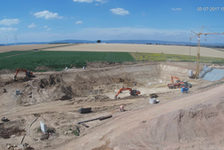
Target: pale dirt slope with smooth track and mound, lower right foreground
(193, 122)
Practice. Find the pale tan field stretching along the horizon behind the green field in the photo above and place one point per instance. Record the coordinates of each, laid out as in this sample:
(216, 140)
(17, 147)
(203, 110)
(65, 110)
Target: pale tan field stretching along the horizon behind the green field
(166, 49)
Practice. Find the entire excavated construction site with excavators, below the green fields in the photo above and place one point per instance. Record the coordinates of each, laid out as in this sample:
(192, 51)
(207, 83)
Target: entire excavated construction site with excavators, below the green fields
(102, 106)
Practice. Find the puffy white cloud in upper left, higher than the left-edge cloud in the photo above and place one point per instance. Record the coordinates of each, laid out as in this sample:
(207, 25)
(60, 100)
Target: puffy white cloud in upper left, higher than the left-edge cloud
(47, 15)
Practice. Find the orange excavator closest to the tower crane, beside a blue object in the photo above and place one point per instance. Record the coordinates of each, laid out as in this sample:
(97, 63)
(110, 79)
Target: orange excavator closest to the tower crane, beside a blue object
(178, 83)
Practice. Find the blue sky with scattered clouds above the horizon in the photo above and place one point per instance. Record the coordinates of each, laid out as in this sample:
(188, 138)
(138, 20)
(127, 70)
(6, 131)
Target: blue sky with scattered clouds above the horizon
(49, 20)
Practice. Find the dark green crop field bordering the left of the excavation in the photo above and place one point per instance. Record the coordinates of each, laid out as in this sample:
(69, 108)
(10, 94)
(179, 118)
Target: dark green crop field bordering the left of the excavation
(58, 60)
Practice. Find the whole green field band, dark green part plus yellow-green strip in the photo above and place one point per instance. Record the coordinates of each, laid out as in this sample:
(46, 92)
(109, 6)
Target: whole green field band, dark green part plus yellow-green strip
(55, 60)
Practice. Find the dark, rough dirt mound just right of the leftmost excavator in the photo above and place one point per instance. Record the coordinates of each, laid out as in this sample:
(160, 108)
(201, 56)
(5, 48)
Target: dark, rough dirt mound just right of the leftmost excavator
(49, 88)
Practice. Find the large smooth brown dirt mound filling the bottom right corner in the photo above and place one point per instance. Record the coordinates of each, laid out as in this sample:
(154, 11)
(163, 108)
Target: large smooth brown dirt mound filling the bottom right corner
(199, 127)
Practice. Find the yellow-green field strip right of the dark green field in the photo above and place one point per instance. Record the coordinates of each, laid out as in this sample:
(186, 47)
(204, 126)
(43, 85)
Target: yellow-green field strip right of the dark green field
(160, 57)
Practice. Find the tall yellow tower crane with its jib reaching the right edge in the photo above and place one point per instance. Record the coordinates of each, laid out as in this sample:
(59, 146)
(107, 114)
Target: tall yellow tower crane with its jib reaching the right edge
(198, 53)
